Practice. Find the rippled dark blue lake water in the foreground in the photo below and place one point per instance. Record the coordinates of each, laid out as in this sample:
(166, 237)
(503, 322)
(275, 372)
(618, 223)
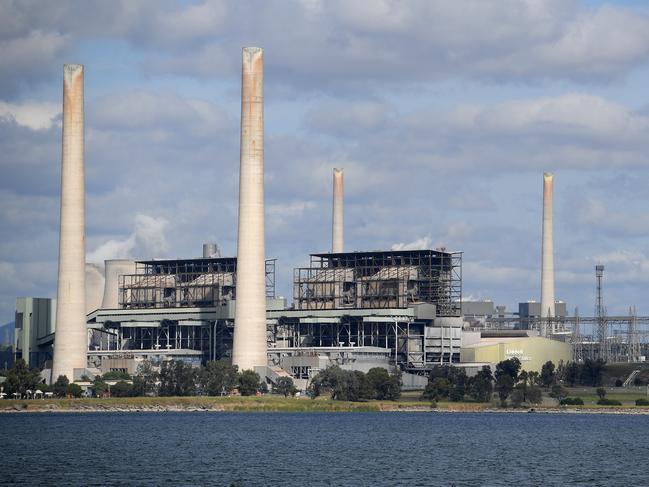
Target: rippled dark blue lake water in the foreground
(249, 449)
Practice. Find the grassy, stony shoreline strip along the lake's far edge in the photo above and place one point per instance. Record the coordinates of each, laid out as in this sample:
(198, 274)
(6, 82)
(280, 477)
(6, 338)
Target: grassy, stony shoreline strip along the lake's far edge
(279, 405)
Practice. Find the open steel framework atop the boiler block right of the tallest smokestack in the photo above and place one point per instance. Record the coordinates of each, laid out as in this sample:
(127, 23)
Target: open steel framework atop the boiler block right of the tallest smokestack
(387, 279)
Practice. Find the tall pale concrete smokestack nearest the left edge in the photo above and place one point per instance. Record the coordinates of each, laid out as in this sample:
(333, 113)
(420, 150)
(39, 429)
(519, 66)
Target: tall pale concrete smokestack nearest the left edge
(70, 343)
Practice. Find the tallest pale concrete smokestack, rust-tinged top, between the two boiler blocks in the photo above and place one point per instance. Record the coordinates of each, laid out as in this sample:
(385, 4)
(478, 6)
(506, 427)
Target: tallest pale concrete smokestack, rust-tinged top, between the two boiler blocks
(249, 347)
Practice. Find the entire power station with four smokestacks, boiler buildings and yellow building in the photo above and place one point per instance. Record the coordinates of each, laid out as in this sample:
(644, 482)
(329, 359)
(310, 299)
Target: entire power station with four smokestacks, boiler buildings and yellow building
(398, 309)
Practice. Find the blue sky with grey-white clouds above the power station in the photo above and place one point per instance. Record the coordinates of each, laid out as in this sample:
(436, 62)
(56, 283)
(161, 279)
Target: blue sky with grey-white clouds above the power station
(443, 114)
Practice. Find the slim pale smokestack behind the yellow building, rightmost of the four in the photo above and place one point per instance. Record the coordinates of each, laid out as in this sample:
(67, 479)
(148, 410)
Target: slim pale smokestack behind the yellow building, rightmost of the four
(547, 257)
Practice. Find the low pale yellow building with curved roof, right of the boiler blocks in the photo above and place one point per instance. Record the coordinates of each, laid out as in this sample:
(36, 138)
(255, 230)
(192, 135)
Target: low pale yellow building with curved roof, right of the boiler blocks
(533, 351)
